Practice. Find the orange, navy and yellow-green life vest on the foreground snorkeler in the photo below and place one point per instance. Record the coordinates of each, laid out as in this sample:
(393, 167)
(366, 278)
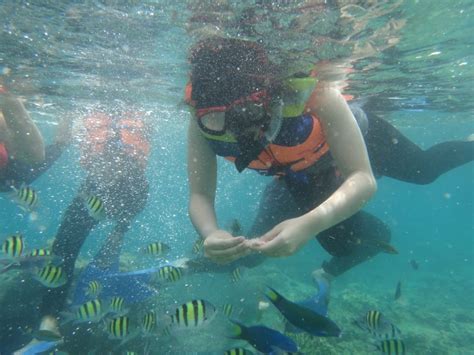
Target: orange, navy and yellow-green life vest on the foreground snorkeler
(299, 144)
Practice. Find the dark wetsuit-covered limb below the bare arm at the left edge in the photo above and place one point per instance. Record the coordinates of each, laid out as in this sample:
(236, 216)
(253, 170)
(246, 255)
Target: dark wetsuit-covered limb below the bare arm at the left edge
(18, 173)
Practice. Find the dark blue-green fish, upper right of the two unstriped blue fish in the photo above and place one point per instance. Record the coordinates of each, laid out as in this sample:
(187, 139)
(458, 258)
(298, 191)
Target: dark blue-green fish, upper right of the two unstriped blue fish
(302, 317)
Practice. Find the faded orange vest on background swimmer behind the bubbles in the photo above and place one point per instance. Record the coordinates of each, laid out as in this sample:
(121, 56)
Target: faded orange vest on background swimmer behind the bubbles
(102, 130)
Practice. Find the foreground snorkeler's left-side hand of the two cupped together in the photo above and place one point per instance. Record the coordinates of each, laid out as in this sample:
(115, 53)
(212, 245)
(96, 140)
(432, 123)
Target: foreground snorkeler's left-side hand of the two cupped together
(222, 248)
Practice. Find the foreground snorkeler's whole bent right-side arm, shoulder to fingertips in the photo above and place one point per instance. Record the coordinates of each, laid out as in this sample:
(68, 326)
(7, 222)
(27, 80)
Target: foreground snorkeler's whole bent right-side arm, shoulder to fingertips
(348, 149)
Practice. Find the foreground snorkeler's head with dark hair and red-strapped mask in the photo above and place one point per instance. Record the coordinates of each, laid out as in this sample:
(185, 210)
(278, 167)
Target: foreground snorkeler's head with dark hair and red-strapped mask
(235, 79)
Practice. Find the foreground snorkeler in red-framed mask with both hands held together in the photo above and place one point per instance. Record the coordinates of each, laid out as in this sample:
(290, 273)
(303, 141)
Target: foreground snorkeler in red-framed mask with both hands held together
(324, 154)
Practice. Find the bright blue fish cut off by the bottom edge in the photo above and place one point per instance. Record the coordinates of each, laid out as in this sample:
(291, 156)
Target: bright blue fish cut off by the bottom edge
(264, 339)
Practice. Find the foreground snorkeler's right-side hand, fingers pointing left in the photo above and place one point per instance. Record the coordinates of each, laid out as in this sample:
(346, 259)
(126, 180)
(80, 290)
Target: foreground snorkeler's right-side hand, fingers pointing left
(284, 239)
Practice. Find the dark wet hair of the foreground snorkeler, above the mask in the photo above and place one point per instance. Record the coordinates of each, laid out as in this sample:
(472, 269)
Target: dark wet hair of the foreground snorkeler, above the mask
(225, 69)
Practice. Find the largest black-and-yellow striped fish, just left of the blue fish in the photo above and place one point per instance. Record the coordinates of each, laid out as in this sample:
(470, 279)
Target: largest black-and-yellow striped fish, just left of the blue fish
(193, 314)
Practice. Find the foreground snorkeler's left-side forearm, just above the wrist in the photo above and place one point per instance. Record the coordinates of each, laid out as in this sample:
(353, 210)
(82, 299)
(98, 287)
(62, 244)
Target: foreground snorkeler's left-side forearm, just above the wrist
(203, 215)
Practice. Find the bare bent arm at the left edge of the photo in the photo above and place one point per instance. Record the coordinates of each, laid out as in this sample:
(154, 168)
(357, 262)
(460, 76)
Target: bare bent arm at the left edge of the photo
(24, 140)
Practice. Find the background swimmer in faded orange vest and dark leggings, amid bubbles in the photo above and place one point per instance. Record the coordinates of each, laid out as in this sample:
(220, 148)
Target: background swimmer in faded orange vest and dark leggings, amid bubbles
(115, 150)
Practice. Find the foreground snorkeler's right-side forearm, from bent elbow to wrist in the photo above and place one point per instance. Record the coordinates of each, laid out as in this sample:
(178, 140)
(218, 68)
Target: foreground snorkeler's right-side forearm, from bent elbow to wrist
(349, 198)
